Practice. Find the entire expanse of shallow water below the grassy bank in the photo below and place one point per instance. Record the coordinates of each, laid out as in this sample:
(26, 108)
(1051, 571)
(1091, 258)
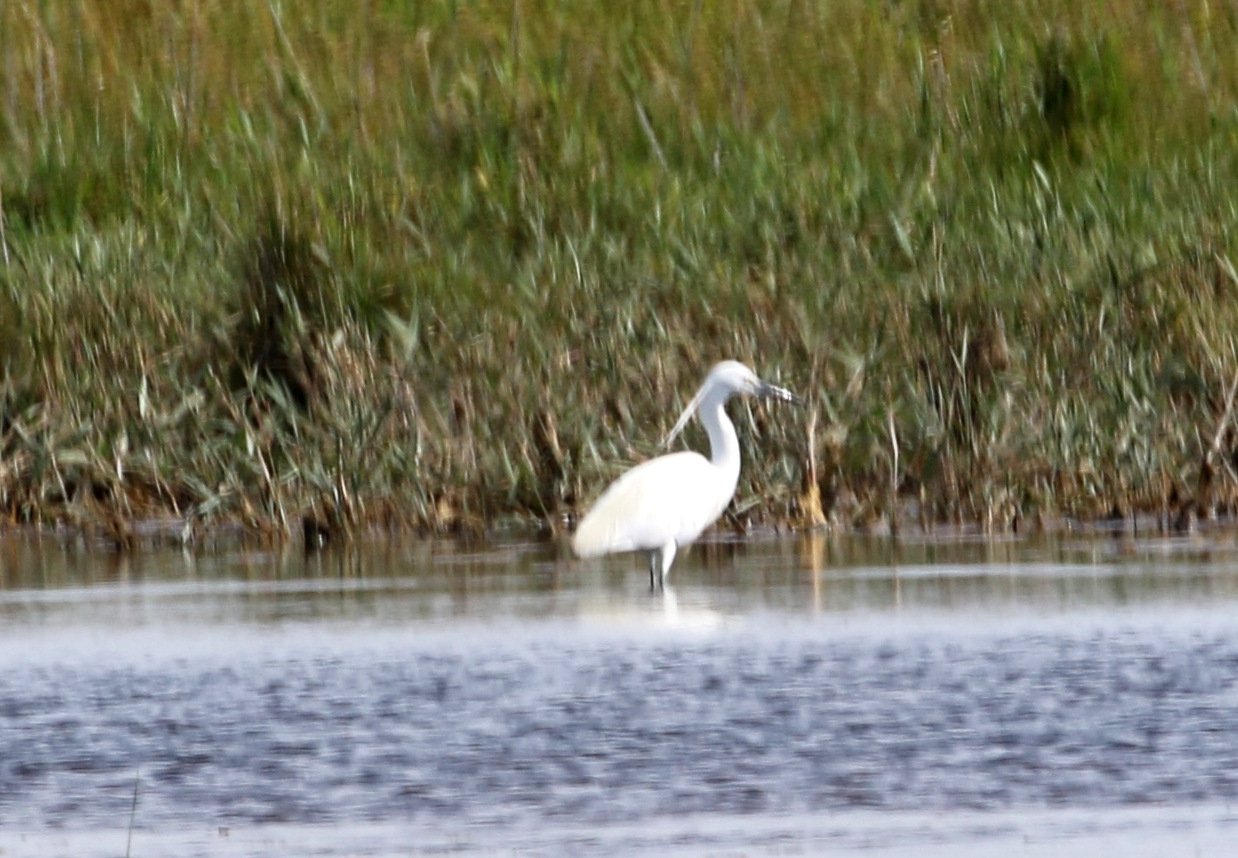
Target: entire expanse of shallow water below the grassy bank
(803, 696)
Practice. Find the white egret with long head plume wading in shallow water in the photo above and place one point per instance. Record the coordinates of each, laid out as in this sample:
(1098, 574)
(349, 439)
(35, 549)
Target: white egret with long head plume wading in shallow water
(665, 503)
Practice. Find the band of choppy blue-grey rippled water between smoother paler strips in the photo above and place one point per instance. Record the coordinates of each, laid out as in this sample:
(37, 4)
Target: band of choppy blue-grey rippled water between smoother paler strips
(618, 730)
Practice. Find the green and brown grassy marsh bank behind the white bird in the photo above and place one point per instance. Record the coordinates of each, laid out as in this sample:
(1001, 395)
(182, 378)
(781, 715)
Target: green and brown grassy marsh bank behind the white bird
(325, 267)
